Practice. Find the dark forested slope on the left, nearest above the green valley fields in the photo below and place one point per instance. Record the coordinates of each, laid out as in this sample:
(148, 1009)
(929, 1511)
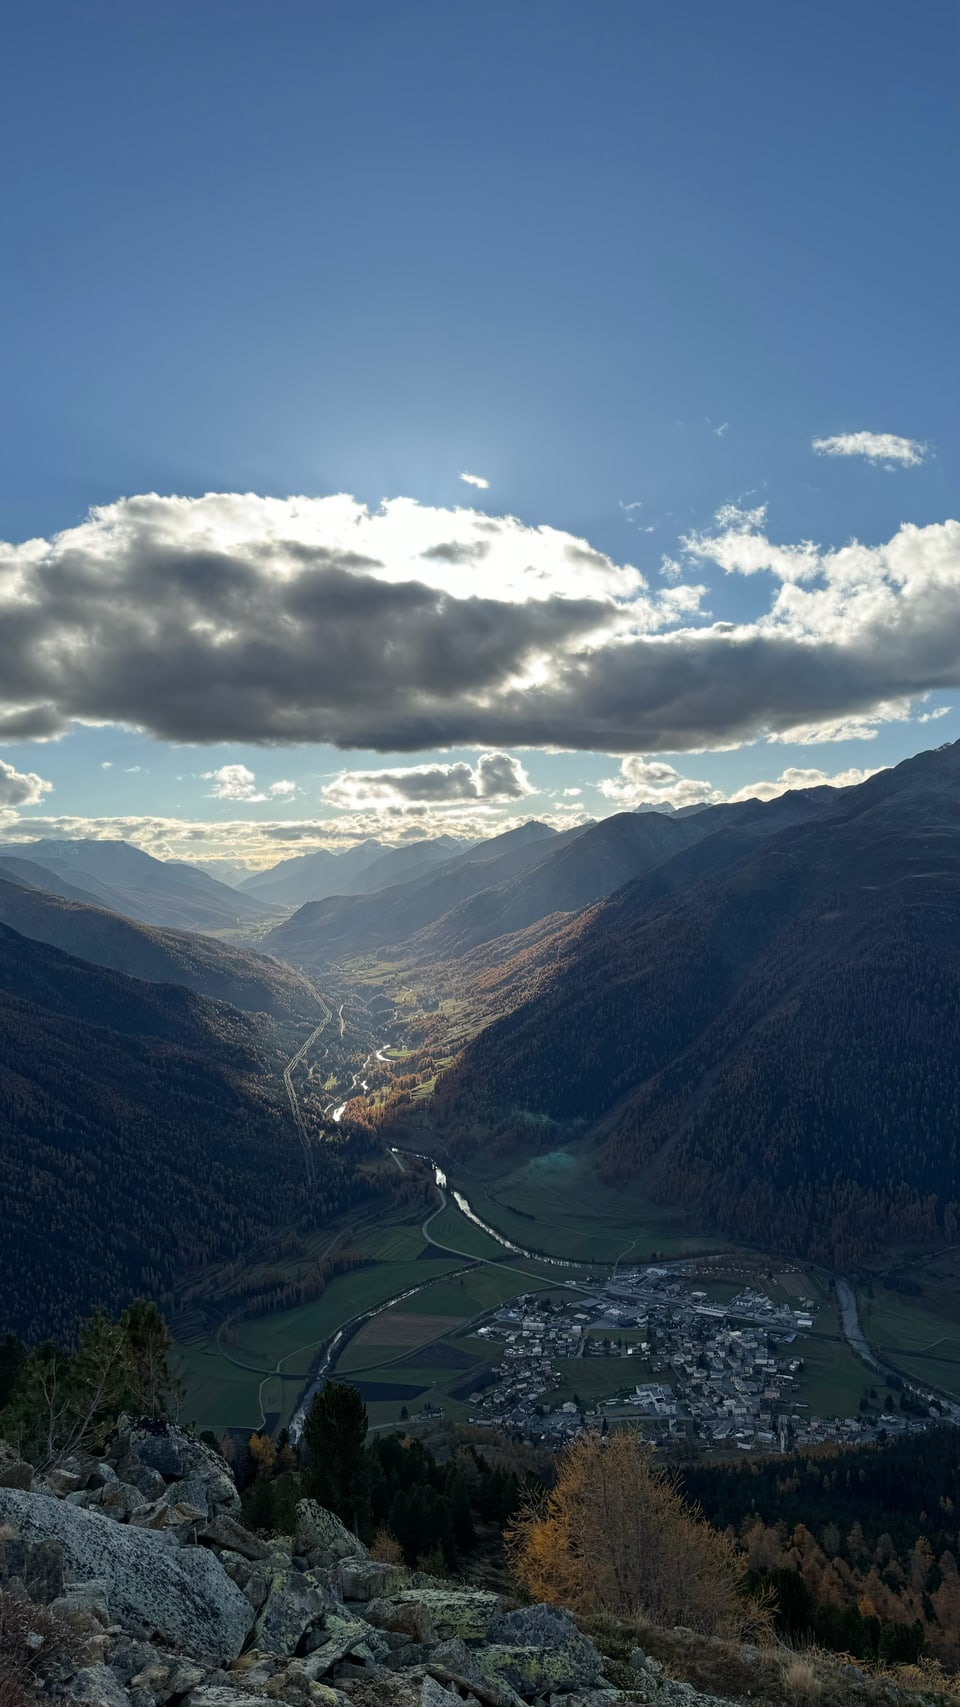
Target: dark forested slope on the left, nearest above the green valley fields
(144, 1133)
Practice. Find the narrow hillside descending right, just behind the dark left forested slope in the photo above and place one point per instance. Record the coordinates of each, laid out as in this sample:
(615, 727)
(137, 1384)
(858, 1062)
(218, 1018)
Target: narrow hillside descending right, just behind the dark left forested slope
(250, 982)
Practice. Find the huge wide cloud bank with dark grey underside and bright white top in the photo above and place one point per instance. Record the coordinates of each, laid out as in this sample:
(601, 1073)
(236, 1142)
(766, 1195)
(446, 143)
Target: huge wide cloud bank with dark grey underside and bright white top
(317, 620)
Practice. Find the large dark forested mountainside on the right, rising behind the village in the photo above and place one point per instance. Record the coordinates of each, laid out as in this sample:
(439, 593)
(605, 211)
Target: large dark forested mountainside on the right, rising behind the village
(768, 1030)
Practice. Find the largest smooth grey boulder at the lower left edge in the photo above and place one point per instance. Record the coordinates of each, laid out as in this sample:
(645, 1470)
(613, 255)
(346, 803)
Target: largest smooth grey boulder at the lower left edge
(153, 1585)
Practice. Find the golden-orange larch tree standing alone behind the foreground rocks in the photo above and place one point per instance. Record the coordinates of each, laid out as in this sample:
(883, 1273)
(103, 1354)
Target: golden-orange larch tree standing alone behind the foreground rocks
(614, 1535)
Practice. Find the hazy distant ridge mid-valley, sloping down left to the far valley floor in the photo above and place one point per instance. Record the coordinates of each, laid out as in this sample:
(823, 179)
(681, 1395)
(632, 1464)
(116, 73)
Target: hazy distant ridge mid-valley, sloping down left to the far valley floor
(344, 926)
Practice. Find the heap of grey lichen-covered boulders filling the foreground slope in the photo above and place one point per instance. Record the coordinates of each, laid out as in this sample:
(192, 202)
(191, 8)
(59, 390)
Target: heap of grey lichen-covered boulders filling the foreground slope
(146, 1588)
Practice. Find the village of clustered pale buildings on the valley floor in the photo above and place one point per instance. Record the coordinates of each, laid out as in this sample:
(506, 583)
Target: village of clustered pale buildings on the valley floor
(672, 1363)
